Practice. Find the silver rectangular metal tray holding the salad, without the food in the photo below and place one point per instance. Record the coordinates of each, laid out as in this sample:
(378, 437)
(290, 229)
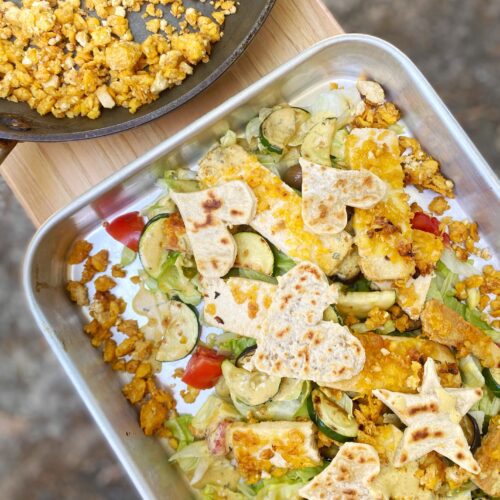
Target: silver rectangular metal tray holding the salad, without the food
(342, 58)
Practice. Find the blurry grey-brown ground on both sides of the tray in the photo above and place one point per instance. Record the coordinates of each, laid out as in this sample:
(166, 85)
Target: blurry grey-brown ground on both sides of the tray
(49, 447)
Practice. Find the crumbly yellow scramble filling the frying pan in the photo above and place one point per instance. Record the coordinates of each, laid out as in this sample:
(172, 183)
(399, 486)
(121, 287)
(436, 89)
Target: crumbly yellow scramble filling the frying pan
(60, 59)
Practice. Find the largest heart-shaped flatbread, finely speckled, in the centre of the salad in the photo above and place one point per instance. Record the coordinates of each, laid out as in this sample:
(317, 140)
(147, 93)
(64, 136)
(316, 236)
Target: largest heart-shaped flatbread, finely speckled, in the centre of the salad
(297, 343)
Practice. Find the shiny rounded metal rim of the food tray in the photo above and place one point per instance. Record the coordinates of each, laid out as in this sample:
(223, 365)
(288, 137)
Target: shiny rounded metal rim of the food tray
(28, 281)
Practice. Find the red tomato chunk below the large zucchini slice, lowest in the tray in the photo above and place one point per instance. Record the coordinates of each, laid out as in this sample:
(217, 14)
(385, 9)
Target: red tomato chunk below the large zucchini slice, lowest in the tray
(203, 369)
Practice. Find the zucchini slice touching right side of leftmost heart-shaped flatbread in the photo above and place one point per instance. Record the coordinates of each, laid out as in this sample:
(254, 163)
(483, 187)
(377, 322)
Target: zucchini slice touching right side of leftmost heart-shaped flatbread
(253, 252)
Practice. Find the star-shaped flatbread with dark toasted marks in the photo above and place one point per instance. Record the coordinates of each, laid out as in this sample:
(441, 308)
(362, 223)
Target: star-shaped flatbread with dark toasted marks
(433, 420)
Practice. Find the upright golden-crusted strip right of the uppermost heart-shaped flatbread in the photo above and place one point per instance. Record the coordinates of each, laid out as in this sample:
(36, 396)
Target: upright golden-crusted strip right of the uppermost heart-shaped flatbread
(383, 232)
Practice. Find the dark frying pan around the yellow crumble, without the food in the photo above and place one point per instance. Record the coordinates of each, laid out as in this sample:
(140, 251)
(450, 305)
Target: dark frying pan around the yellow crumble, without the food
(18, 122)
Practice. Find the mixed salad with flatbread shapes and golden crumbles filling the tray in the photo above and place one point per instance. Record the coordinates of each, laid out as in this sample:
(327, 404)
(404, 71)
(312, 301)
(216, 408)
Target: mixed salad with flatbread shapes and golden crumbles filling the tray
(305, 292)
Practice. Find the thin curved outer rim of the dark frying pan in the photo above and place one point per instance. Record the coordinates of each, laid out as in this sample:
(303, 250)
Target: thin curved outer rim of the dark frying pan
(157, 113)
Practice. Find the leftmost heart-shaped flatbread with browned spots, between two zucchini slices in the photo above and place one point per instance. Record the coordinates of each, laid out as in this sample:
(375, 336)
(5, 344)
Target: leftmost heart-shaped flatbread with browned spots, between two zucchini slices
(206, 215)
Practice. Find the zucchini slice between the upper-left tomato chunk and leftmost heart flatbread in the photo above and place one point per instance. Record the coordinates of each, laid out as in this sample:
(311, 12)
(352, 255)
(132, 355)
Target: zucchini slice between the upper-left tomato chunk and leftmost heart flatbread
(151, 250)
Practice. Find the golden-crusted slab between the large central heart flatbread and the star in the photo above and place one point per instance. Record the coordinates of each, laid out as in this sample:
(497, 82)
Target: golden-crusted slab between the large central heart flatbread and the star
(393, 363)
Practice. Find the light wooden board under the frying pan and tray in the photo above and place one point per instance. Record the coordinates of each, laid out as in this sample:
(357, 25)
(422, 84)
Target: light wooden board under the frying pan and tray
(47, 176)
